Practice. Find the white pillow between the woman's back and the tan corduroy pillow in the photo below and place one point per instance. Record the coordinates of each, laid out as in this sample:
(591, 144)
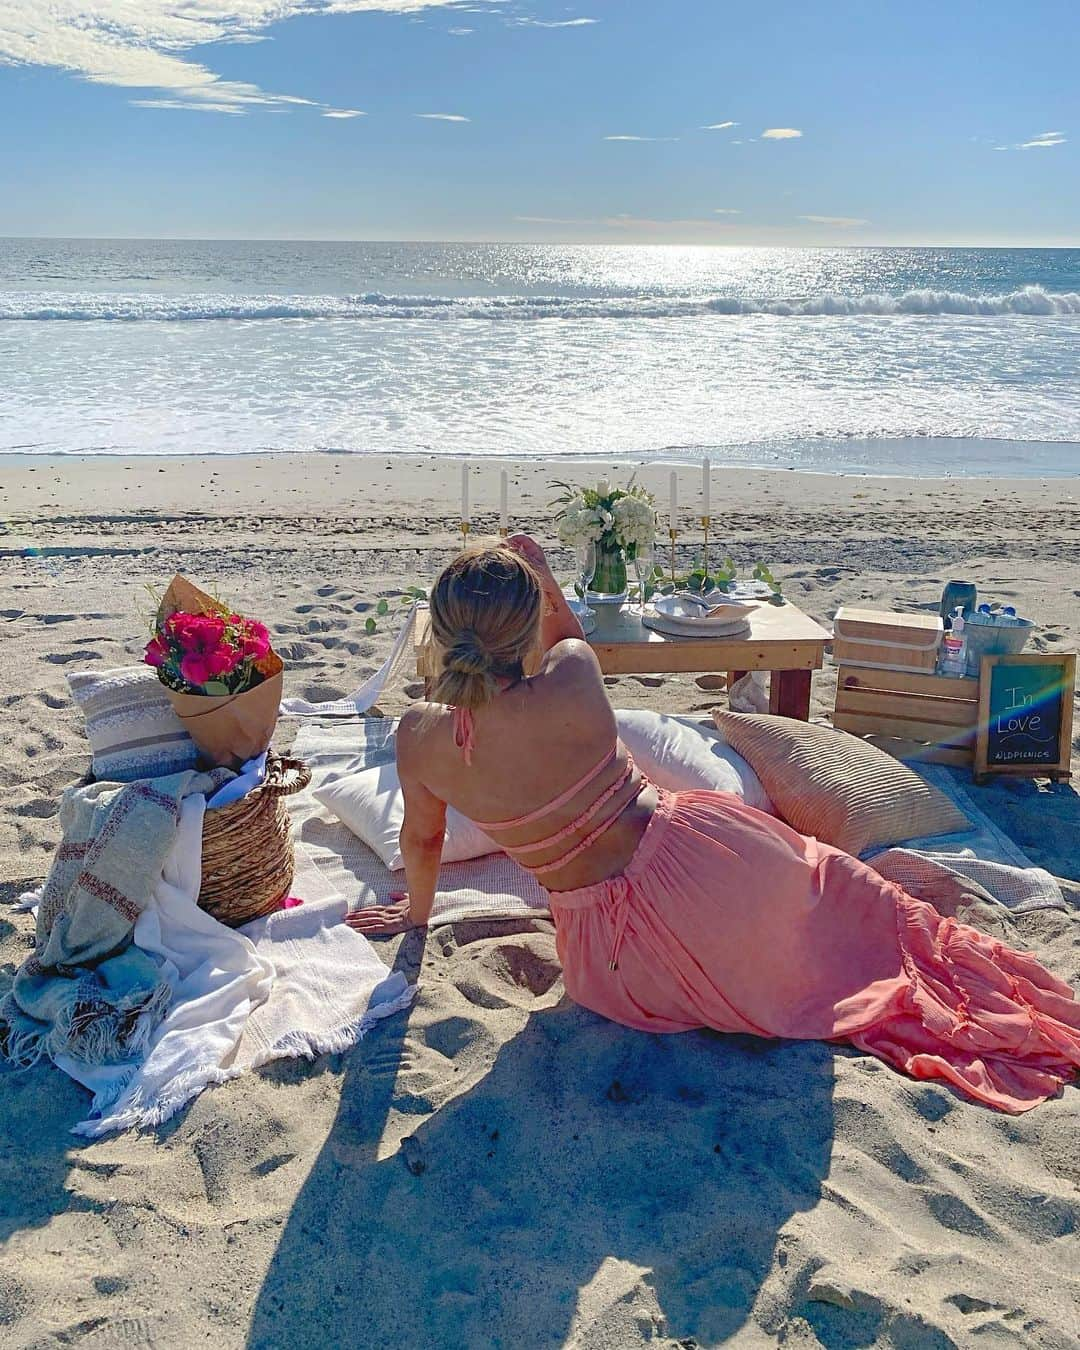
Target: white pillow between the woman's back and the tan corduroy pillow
(680, 754)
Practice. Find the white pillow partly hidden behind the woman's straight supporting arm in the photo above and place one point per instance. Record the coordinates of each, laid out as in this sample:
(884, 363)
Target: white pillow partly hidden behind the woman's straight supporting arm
(372, 805)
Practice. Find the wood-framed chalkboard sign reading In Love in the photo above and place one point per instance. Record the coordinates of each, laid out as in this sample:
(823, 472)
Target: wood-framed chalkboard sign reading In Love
(1025, 716)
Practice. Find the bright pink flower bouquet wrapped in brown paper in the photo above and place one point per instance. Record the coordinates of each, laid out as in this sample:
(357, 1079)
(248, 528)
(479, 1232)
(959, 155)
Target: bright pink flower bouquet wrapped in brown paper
(221, 672)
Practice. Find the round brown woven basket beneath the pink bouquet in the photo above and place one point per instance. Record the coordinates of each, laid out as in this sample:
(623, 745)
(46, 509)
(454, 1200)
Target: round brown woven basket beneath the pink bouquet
(248, 848)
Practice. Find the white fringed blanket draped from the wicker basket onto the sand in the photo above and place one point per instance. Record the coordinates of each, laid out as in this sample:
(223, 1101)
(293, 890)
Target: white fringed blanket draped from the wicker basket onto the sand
(295, 985)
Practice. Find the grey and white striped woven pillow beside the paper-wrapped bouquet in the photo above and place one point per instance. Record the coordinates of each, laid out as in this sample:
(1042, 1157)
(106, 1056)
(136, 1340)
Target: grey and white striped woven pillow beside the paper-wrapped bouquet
(132, 726)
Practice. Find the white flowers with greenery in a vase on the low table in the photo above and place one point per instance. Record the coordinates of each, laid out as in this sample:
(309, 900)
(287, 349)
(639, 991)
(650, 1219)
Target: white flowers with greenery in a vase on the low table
(622, 522)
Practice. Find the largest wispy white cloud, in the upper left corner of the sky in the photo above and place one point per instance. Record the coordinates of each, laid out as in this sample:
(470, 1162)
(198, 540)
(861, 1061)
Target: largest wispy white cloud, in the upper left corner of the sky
(142, 44)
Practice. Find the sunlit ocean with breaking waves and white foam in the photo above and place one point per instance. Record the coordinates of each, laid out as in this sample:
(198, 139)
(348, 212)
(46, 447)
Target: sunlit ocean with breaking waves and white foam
(898, 361)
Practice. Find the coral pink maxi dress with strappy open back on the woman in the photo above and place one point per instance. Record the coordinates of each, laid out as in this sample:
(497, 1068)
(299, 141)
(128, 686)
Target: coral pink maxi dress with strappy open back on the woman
(728, 919)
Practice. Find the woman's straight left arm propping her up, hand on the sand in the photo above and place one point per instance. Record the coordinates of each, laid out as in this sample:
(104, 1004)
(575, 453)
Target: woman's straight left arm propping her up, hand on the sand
(422, 851)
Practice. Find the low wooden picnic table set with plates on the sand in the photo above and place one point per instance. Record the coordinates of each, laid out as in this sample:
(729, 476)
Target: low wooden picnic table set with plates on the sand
(782, 641)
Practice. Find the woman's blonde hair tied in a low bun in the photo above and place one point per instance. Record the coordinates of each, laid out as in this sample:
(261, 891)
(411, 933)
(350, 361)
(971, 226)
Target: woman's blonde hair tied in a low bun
(485, 623)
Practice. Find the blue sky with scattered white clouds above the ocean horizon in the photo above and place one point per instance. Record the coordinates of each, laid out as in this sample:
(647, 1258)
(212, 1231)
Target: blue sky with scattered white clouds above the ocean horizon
(780, 122)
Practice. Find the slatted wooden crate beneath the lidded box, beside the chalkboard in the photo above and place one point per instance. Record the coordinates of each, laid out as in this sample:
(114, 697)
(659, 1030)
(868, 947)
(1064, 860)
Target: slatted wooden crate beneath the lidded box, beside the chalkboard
(912, 716)
